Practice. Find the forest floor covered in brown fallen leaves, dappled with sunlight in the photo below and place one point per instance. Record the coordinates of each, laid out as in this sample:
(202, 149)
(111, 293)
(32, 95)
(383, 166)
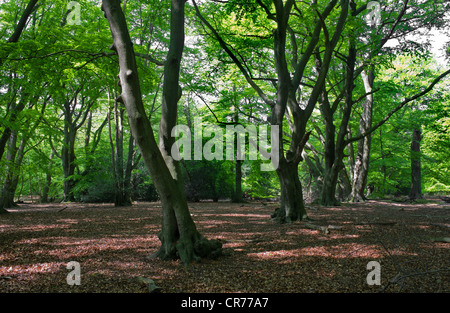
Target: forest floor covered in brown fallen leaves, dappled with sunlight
(37, 242)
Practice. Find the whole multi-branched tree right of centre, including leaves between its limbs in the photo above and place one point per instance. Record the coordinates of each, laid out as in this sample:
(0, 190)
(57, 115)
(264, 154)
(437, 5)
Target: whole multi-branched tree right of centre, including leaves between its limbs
(286, 85)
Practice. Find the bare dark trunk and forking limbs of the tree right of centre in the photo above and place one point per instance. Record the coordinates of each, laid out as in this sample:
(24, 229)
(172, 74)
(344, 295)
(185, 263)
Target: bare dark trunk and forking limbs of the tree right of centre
(287, 87)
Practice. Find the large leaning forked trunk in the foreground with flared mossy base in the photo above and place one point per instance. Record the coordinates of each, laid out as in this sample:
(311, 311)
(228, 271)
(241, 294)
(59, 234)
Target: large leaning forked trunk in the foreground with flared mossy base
(179, 236)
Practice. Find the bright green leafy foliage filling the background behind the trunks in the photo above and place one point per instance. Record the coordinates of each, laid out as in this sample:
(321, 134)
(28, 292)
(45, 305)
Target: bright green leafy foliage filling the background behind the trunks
(52, 60)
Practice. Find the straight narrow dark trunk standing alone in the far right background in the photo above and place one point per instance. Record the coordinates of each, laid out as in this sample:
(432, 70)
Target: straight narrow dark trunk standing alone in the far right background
(416, 173)
